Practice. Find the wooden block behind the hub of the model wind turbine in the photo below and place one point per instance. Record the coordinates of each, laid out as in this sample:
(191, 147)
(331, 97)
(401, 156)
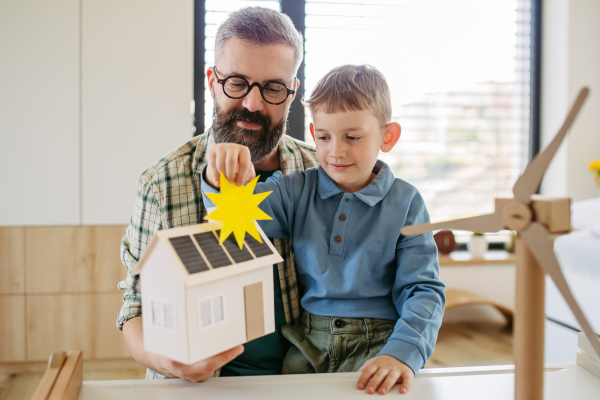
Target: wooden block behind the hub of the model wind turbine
(553, 212)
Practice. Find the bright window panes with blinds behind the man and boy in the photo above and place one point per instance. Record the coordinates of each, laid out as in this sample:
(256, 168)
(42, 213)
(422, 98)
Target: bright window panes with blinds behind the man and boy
(459, 72)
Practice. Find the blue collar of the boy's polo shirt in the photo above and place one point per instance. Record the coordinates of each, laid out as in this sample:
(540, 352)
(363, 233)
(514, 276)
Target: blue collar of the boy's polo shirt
(371, 195)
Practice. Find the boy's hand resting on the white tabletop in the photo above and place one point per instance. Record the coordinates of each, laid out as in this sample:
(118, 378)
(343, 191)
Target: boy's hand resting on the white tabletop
(383, 372)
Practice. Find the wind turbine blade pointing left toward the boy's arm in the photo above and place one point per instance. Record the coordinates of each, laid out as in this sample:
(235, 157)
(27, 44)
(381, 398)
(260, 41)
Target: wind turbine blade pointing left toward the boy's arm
(480, 223)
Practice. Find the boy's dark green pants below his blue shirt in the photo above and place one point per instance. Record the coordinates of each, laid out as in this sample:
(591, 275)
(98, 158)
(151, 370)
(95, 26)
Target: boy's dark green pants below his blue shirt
(332, 344)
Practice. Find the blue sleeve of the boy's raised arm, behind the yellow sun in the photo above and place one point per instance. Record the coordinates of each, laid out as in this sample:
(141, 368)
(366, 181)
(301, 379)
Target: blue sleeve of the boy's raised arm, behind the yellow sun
(280, 204)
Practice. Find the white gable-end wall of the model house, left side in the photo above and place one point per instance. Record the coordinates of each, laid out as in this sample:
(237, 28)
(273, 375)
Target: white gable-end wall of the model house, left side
(161, 280)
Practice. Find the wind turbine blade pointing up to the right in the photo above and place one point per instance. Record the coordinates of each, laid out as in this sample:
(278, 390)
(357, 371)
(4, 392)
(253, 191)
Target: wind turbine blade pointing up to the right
(530, 181)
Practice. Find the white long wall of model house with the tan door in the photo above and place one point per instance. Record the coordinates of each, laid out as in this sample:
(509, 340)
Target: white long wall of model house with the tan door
(232, 332)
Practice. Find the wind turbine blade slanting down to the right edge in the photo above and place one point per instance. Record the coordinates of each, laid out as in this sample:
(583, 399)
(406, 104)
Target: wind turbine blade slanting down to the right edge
(540, 245)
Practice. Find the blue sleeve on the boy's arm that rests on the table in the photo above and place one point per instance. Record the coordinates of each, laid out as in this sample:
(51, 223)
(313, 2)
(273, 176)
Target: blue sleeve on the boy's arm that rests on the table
(418, 294)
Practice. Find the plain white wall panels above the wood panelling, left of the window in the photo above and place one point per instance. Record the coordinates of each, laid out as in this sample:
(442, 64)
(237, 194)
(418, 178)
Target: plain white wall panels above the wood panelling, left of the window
(92, 92)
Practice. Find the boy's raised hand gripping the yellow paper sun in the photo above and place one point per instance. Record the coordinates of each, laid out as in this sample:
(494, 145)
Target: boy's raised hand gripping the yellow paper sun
(233, 160)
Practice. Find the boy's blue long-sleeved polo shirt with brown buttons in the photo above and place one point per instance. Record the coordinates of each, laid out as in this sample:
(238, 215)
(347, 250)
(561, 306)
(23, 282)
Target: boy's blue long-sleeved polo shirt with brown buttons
(352, 260)
